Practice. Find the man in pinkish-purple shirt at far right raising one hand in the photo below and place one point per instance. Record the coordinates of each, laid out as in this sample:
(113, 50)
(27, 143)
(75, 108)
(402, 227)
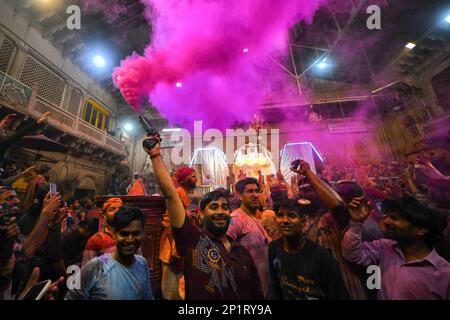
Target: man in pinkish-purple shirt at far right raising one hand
(410, 267)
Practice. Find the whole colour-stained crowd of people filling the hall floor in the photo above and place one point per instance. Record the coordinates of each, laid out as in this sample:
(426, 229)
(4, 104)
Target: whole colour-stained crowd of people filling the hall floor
(311, 238)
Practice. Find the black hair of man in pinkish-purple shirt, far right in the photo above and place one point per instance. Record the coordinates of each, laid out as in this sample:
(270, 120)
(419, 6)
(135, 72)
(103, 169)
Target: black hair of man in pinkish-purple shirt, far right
(420, 216)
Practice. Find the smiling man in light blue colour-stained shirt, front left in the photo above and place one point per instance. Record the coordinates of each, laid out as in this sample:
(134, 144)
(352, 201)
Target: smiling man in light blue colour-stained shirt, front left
(122, 274)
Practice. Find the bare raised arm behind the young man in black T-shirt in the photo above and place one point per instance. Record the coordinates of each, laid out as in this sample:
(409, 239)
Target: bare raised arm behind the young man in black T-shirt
(326, 193)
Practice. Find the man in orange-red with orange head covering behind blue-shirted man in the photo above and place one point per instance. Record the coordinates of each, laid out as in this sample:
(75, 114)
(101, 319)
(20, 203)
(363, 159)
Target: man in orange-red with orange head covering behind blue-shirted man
(103, 241)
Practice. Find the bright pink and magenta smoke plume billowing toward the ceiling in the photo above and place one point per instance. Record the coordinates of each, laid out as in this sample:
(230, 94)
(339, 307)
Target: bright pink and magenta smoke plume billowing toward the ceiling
(208, 58)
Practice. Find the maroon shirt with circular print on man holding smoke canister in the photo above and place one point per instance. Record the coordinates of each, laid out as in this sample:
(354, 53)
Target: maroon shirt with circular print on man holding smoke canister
(213, 273)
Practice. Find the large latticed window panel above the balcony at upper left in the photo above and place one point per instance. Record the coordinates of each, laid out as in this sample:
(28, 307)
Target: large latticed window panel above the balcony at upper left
(50, 86)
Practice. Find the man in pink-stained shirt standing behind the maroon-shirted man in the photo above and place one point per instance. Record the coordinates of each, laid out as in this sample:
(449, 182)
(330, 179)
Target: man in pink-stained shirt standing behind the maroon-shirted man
(247, 229)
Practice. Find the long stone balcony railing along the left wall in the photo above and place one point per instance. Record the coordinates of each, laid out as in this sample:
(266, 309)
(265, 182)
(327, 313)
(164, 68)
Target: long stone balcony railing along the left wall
(22, 98)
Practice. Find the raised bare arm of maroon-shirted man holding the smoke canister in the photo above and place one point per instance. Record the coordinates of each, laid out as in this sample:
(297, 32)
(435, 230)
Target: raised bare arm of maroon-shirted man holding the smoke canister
(175, 208)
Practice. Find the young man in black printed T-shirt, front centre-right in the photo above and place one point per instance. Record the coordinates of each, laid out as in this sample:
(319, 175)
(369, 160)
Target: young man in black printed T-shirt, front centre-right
(299, 268)
